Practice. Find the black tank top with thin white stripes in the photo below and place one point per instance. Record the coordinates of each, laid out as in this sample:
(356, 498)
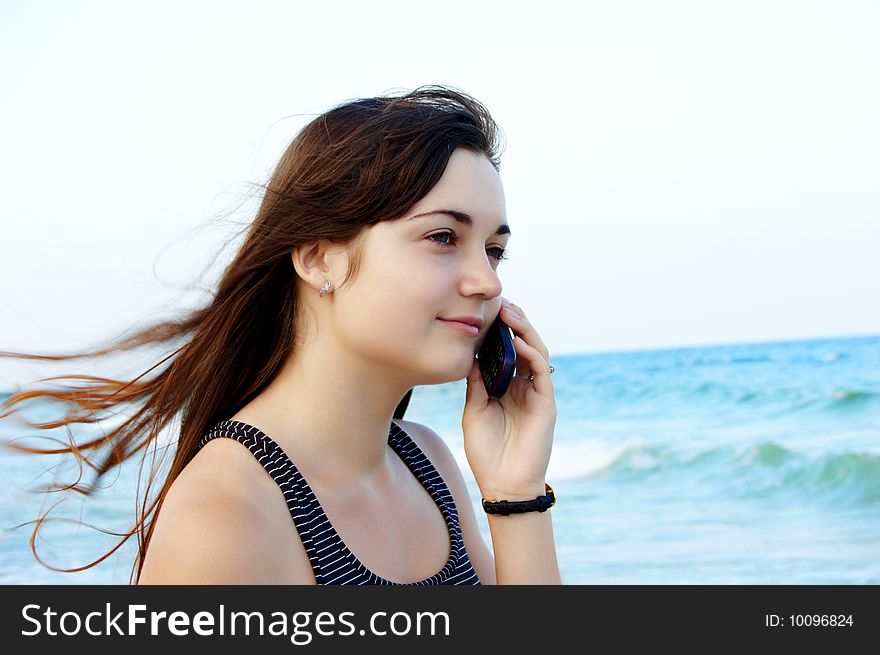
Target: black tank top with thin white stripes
(332, 561)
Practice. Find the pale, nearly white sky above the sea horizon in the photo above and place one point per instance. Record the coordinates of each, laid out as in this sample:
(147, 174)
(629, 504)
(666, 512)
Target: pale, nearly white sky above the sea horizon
(676, 174)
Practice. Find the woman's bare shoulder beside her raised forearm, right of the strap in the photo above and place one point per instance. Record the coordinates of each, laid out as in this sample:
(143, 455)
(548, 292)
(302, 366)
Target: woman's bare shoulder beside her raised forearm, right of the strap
(437, 450)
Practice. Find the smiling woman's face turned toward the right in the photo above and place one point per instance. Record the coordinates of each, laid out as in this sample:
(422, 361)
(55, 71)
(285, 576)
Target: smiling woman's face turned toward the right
(418, 269)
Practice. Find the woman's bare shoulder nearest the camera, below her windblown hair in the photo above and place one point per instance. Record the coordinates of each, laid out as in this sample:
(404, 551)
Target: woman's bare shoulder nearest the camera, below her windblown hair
(221, 523)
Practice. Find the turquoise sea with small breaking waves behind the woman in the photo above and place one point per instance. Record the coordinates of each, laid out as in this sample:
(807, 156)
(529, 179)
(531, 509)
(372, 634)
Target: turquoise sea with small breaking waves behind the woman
(742, 464)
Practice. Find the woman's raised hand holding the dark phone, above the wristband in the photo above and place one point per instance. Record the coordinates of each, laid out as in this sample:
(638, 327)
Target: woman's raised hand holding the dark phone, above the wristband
(508, 440)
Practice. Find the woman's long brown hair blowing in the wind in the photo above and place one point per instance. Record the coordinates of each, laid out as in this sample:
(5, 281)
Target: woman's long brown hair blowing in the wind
(362, 162)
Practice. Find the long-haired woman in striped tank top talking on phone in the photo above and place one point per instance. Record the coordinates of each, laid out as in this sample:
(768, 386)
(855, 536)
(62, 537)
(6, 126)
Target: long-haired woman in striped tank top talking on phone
(384, 218)
